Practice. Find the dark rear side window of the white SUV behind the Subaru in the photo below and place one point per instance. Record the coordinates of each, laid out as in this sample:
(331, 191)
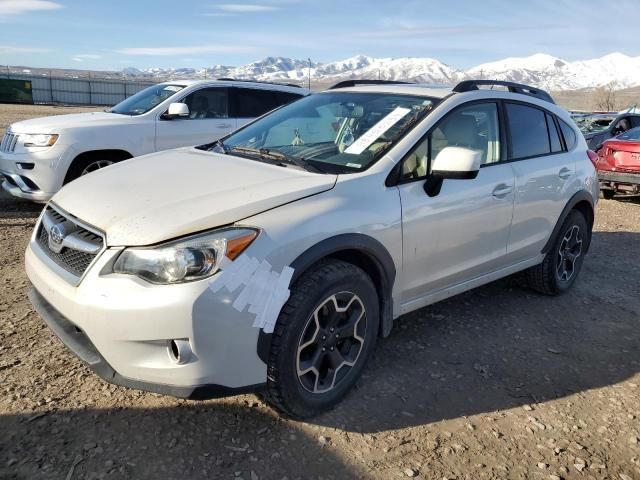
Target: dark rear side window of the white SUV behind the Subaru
(250, 103)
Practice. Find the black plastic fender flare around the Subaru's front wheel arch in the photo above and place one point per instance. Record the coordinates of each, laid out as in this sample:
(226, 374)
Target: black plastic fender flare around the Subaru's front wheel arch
(379, 258)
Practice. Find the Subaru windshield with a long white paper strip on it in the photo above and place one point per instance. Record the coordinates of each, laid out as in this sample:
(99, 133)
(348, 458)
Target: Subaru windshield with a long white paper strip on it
(337, 132)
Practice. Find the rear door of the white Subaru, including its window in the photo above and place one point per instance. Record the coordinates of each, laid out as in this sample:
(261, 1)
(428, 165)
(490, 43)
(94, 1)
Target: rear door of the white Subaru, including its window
(545, 175)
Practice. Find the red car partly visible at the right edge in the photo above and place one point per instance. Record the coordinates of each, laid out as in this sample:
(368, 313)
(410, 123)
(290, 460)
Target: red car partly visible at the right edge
(618, 164)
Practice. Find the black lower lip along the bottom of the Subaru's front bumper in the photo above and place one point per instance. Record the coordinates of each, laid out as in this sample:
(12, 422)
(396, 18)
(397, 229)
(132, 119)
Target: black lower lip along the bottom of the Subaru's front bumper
(79, 343)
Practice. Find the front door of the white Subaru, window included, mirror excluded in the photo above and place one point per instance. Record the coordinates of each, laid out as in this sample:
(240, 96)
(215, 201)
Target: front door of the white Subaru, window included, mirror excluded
(461, 232)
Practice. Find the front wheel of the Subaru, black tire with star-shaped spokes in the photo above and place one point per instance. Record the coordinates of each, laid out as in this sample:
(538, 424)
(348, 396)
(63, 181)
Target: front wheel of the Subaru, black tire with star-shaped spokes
(305, 325)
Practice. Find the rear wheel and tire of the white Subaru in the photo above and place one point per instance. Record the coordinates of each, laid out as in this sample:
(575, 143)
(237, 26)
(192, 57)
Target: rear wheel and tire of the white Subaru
(562, 264)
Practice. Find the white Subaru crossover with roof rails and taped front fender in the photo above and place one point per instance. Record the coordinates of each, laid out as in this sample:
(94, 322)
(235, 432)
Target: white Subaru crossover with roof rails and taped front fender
(272, 259)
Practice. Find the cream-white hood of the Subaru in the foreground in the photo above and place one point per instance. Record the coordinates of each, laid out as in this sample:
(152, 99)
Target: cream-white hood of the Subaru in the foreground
(165, 195)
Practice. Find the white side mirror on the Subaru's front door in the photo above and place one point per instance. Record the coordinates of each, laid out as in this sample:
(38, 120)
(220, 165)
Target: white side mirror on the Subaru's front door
(455, 163)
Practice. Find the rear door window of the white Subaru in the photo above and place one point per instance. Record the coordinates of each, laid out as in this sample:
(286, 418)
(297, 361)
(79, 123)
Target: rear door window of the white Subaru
(528, 129)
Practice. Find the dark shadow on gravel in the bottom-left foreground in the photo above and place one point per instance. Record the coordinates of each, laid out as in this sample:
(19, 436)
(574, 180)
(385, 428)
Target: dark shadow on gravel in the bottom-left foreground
(194, 441)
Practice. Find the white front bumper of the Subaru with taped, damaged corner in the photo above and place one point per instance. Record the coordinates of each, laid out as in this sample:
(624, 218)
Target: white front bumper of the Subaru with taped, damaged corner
(127, 325)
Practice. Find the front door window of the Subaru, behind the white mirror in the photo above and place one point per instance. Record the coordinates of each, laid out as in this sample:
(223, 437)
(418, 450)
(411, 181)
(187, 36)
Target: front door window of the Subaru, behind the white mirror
(475, 127)
